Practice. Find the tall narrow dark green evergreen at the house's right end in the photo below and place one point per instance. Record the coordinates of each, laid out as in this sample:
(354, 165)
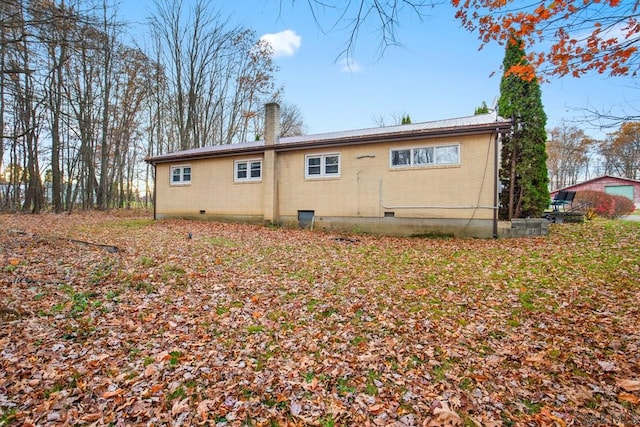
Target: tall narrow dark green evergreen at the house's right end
(523, 169)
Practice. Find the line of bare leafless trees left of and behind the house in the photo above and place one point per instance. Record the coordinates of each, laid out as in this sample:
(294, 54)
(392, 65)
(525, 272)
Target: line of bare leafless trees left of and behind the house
(80, 108)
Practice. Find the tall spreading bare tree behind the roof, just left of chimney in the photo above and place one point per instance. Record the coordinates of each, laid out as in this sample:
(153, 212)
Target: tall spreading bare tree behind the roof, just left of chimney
(217, 75)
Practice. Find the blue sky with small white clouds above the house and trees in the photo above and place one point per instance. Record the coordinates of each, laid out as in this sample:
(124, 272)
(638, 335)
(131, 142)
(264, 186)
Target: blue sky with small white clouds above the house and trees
(437, 73)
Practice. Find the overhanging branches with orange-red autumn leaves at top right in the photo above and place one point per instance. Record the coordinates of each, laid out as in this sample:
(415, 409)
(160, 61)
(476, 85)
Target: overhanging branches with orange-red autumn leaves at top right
(575, 36)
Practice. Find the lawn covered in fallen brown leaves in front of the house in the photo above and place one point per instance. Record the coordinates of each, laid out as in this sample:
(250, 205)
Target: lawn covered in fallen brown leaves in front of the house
(107, 320)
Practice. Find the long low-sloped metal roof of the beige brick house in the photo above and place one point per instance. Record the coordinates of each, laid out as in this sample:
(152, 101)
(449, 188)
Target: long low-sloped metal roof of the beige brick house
(481, 123)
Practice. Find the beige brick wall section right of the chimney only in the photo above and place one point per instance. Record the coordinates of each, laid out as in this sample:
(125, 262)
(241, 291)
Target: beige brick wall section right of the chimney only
(366, 180)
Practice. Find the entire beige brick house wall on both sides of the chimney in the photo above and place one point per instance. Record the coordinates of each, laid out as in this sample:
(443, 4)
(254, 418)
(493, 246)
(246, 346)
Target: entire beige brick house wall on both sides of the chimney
(365, 181)
